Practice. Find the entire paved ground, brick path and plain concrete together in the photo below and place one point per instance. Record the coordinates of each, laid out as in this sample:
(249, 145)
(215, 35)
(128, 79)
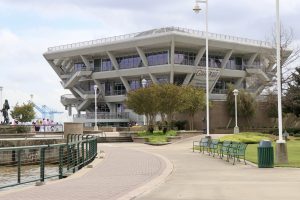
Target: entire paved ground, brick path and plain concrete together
(144, 172)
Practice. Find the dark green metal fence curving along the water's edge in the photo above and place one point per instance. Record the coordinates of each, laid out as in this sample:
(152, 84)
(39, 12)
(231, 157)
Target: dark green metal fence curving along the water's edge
(25, 164)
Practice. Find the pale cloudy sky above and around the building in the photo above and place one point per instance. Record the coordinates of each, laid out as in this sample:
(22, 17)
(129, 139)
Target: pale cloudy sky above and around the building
(29, 27)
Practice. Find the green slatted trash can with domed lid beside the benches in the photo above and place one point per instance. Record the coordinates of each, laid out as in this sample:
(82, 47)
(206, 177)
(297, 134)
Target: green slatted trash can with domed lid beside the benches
(265, 154)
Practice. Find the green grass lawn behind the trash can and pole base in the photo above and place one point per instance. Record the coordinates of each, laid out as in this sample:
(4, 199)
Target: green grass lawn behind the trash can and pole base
(293, 153)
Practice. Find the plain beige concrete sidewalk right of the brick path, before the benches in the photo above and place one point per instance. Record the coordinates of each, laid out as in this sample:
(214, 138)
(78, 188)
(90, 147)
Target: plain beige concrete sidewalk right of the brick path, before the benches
(198, 176)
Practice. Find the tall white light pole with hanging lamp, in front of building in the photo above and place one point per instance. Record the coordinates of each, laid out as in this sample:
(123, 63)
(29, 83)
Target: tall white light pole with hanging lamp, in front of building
(197, 10)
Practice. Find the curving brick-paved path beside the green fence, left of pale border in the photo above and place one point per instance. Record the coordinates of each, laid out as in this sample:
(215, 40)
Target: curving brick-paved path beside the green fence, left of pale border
(122, 170)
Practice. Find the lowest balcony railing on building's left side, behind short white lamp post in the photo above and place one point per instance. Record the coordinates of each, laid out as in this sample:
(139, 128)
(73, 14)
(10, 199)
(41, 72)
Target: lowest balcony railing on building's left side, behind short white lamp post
(103, 115)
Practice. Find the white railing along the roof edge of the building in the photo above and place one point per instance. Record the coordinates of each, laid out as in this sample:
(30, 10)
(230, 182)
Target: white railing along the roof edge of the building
(160, 31)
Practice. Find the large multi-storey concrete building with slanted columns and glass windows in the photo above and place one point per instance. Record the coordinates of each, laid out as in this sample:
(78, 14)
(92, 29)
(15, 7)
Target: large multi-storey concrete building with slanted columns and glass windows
(165, 55)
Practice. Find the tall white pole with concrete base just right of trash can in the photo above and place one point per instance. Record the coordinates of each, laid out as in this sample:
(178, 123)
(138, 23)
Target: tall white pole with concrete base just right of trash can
(281, 148)
